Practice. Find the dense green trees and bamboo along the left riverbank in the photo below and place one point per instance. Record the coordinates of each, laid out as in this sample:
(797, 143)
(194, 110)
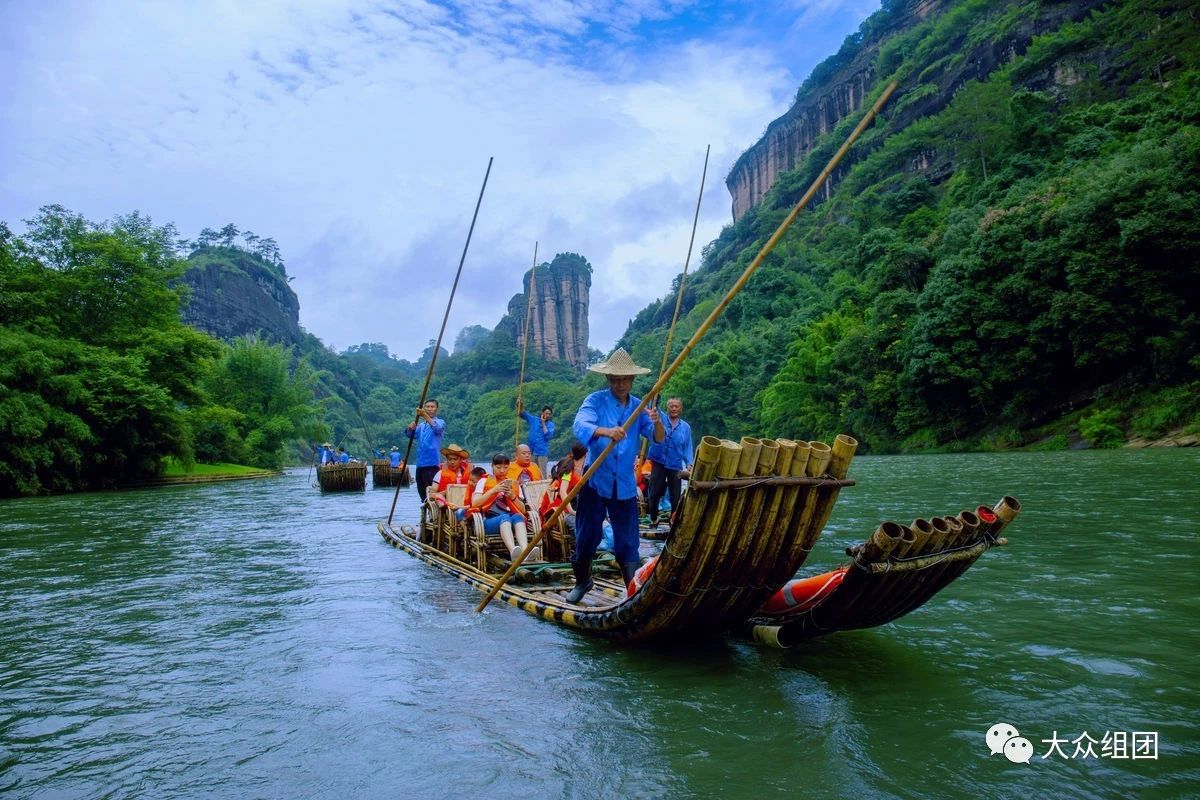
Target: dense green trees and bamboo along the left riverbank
(100, 381)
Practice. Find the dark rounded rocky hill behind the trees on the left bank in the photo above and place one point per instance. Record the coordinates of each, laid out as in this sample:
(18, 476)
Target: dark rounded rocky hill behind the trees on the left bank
(236, 293)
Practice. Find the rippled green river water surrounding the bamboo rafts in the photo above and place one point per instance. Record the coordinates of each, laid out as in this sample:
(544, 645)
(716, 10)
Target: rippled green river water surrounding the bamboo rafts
(260, 640)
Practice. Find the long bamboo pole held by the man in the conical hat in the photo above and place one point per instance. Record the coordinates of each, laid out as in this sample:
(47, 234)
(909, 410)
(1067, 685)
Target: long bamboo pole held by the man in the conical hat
(699, 335)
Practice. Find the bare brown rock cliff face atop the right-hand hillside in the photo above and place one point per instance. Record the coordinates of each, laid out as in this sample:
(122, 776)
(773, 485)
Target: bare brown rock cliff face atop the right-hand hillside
(841, 86)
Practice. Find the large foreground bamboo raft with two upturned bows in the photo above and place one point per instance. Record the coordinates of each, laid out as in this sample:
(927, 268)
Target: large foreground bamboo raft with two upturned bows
(751, 516)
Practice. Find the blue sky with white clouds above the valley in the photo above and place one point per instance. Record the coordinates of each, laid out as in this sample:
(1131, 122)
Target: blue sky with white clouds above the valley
(357, 134)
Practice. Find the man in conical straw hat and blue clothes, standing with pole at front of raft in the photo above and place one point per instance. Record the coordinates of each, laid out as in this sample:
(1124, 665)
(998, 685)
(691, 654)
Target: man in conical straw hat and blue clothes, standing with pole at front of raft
(613, 490)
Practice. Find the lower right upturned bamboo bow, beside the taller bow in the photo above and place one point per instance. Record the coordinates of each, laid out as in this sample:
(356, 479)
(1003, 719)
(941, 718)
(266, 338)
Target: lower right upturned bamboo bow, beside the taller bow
(895, 573)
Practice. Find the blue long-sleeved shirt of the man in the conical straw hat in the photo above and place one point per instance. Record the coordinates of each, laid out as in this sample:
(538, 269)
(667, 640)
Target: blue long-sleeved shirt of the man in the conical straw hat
(615, 479)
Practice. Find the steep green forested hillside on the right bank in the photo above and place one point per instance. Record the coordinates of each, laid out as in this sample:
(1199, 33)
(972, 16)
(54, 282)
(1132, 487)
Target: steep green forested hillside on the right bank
(1019, 268)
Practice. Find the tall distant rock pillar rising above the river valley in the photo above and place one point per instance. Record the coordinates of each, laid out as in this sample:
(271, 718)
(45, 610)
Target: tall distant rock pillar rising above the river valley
(559, 329)
